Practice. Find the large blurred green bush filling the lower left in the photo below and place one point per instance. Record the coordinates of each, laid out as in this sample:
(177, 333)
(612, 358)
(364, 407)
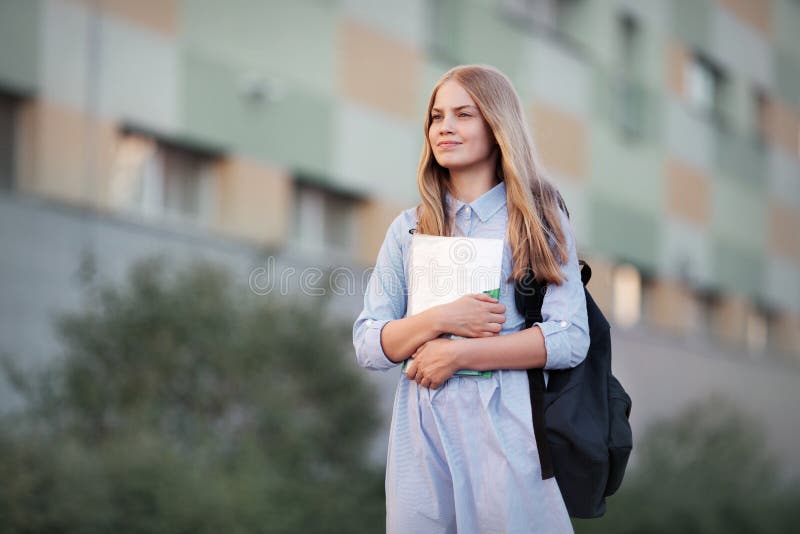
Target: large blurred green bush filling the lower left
(184, 403)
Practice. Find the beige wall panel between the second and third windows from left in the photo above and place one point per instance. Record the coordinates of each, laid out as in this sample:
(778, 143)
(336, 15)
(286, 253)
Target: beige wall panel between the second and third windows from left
(253, 201)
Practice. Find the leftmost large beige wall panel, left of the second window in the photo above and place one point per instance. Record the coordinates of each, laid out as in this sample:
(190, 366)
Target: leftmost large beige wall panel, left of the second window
(68, 157)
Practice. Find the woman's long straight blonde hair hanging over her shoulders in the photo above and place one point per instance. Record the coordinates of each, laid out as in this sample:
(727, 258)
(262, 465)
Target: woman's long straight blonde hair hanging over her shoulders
(532, 200)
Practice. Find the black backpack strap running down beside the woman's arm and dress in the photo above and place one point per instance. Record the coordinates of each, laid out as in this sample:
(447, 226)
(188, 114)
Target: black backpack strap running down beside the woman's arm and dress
(532, 292)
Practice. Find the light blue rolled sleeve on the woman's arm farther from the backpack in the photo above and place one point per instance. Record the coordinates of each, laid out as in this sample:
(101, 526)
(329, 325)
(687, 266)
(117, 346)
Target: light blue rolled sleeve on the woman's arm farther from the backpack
(384, 301)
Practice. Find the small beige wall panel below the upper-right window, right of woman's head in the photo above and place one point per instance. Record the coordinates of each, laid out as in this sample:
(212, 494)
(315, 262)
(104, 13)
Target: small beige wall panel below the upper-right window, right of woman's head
(688, 193)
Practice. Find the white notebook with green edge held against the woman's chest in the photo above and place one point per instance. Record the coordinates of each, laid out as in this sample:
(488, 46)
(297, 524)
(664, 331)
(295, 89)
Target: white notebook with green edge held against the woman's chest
(444, 269)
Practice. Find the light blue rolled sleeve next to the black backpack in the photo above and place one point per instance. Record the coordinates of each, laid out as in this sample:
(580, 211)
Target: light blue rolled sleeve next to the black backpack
(565, 325)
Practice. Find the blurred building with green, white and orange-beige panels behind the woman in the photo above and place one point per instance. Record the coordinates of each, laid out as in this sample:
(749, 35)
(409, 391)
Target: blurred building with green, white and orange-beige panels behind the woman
(242, 130)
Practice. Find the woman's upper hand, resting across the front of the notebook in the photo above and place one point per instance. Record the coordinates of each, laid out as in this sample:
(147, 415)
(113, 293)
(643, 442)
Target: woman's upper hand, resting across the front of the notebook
(476, 315)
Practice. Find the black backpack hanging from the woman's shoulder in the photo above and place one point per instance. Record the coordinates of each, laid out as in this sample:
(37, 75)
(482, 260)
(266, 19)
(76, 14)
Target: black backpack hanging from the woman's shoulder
(580, 419)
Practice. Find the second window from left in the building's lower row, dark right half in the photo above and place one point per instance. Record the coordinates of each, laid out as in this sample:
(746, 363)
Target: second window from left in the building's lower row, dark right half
(160, 179)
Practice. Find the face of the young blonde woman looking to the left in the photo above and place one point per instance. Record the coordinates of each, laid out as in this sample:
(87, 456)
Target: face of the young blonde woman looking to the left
(459, 136)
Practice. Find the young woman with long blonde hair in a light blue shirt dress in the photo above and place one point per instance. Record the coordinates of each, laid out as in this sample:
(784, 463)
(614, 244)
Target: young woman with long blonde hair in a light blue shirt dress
(462, 455)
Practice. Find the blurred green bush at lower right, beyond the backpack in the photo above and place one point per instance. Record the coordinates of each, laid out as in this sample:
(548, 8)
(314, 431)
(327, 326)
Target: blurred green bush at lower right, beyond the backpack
(705, 471)
